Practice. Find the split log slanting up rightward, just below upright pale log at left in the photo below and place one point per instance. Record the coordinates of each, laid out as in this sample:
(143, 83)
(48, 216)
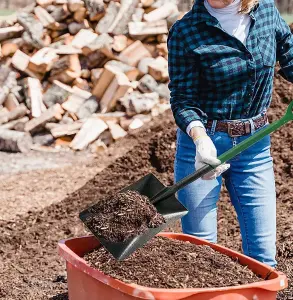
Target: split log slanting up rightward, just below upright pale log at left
(52, 114)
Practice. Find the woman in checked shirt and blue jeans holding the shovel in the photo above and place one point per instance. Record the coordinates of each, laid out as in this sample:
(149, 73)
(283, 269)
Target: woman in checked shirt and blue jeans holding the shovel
(221, 62)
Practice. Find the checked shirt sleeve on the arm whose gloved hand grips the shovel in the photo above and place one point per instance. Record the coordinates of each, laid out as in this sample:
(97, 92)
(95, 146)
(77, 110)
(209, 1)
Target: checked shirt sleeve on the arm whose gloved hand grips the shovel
(184, 80)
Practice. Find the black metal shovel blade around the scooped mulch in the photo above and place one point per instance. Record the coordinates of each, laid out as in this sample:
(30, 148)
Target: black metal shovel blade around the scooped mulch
(170, 208)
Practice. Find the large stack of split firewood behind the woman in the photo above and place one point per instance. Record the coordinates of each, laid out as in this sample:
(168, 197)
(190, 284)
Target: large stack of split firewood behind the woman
(82, 73)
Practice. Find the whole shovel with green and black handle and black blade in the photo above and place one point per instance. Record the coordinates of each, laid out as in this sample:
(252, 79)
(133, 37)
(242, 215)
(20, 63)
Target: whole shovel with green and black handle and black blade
(164, 197)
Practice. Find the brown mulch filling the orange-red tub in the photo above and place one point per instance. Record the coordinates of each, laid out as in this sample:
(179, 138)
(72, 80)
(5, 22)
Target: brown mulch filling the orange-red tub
(167, 263)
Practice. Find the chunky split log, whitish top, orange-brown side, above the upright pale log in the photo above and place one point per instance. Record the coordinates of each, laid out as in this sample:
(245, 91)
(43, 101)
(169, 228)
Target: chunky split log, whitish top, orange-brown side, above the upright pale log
(43, 60)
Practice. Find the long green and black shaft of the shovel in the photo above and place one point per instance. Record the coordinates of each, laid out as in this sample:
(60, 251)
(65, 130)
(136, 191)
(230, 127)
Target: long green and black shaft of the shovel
(168, 191)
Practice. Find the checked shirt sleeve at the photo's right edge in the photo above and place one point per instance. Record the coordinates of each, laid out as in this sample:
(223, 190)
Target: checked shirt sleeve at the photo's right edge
(284, 40)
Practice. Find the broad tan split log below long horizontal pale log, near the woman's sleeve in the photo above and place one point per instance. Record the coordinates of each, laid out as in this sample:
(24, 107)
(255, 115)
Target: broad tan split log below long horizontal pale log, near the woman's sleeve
(134, 53)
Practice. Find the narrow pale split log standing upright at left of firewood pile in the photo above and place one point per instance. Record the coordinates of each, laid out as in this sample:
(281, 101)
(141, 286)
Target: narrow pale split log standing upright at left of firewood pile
(35, 97)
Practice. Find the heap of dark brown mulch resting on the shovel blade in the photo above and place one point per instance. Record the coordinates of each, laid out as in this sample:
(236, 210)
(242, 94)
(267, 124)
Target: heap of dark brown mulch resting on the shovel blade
(126, 215)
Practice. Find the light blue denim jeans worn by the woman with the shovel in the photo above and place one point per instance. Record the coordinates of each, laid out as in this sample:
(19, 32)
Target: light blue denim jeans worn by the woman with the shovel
(251, 186)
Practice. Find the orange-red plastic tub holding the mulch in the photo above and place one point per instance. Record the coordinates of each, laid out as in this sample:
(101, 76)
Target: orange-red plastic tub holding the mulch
(72, 250)
